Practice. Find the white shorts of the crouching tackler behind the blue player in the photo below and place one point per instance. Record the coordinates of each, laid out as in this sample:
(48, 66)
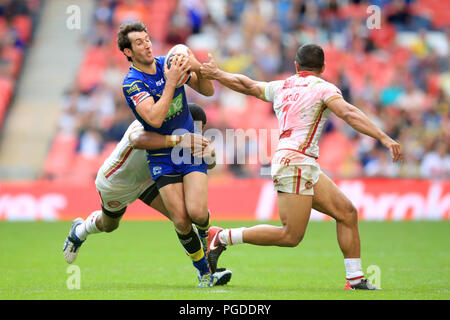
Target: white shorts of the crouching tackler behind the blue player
(115, 198)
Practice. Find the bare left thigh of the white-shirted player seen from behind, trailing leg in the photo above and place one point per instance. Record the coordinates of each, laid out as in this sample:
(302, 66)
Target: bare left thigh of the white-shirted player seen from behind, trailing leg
(294, 210)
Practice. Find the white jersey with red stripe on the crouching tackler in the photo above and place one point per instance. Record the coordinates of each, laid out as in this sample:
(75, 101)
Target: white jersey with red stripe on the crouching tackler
(126, 168)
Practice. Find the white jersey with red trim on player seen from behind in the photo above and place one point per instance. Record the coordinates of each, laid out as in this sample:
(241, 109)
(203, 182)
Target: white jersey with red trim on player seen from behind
(300, 106)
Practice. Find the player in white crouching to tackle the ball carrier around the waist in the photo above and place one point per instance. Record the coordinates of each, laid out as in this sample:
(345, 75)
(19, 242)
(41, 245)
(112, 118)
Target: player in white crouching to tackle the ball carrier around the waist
(124, 177)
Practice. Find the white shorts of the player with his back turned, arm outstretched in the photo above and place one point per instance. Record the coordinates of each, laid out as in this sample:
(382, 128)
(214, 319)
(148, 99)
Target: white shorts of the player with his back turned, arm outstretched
(293, 172)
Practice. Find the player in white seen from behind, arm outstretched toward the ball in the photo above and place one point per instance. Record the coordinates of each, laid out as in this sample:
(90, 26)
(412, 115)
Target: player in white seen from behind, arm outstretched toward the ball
(302, 103)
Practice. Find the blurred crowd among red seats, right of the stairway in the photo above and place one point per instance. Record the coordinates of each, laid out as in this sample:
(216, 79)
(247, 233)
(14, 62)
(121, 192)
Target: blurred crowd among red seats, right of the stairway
(397, 74)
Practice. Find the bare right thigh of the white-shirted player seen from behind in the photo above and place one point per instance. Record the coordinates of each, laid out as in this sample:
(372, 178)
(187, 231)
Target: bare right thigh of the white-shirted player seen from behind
(330, 200)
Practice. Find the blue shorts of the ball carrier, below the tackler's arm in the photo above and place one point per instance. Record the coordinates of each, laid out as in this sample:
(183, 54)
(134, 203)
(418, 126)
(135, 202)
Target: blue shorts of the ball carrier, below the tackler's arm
(163, 165)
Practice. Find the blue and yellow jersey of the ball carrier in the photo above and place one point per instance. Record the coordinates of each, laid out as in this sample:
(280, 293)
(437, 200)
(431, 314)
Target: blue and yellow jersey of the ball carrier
(139, 85)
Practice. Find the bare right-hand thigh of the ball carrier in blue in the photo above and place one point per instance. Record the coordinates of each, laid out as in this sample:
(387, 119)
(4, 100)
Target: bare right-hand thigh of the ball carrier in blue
(195, 186)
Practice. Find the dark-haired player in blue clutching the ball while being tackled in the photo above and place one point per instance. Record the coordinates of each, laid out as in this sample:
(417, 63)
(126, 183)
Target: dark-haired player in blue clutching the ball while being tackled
(151, 93)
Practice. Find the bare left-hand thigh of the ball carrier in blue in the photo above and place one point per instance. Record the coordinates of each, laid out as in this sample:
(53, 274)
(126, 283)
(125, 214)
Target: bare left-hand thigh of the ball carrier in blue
(172, 196)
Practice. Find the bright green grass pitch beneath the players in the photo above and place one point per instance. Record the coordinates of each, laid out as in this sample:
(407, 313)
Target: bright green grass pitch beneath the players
(144, 260)
